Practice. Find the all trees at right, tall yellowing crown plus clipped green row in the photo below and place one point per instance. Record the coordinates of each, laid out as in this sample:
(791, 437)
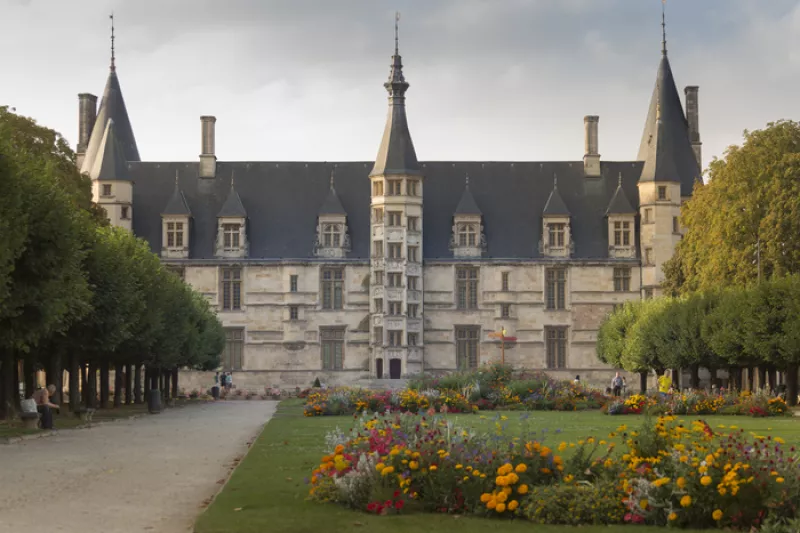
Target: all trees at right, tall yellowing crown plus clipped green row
(733, 295)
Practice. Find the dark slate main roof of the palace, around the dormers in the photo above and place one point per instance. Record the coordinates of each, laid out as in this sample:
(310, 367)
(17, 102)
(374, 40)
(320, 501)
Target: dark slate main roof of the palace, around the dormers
(283, 201)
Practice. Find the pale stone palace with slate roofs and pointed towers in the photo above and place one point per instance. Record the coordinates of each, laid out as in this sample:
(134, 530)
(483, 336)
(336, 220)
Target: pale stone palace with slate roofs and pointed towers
(365, 270)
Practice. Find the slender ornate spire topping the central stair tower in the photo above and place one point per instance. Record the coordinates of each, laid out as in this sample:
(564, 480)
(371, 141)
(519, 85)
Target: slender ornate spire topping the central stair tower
(396, 154)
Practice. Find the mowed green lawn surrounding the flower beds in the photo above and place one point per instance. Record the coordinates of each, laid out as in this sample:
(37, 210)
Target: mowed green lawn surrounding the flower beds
(267, 492)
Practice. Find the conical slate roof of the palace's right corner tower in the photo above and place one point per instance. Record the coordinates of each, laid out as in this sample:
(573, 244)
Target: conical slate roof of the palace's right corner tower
(665, 148)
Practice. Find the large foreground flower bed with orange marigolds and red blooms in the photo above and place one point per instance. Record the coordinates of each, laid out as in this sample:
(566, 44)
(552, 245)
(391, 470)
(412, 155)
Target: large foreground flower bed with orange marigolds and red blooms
(665, 473)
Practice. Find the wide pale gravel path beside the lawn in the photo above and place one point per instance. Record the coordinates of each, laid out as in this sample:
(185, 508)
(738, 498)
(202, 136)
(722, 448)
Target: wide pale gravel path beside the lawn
(150, 474)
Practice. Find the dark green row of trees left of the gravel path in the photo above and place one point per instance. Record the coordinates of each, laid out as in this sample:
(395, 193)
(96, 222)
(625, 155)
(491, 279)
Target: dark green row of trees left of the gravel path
(78, 295)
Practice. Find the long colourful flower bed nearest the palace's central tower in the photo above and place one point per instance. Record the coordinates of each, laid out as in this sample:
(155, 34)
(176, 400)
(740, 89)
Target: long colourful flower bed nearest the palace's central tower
(492, 387)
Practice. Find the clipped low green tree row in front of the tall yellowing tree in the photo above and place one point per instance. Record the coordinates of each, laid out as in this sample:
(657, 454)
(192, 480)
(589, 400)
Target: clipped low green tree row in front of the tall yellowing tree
(731, 330)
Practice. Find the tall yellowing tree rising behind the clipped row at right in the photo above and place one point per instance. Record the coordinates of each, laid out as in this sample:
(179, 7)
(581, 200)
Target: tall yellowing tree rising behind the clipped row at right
(744, 222)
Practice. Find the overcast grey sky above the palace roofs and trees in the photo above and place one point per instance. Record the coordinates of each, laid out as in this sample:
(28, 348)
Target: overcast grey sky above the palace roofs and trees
(490, 79)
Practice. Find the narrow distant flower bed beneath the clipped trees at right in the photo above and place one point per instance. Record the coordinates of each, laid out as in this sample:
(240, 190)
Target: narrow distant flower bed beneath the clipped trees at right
(702, 403)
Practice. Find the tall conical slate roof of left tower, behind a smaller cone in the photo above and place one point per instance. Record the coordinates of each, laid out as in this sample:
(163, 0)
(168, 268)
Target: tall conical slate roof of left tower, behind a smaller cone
(112, 107)
